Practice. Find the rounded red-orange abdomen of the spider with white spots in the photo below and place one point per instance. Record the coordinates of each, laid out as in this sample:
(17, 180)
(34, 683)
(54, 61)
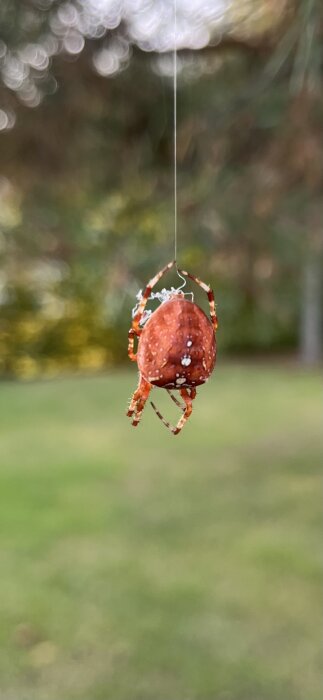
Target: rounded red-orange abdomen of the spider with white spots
(177, 346)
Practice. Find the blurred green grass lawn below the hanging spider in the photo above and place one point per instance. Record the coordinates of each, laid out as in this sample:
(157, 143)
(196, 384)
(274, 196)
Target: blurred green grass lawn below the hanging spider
(139, 566)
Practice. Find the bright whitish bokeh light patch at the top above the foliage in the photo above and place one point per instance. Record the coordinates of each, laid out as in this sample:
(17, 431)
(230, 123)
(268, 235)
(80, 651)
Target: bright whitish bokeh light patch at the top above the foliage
(25, 69)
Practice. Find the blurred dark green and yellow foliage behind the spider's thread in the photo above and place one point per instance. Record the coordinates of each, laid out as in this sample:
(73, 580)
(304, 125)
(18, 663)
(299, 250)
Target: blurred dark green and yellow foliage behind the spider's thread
(86, 196)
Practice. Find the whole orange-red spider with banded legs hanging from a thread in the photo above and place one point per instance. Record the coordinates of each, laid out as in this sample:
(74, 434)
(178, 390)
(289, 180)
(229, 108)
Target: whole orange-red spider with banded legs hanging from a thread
(176, 348)
